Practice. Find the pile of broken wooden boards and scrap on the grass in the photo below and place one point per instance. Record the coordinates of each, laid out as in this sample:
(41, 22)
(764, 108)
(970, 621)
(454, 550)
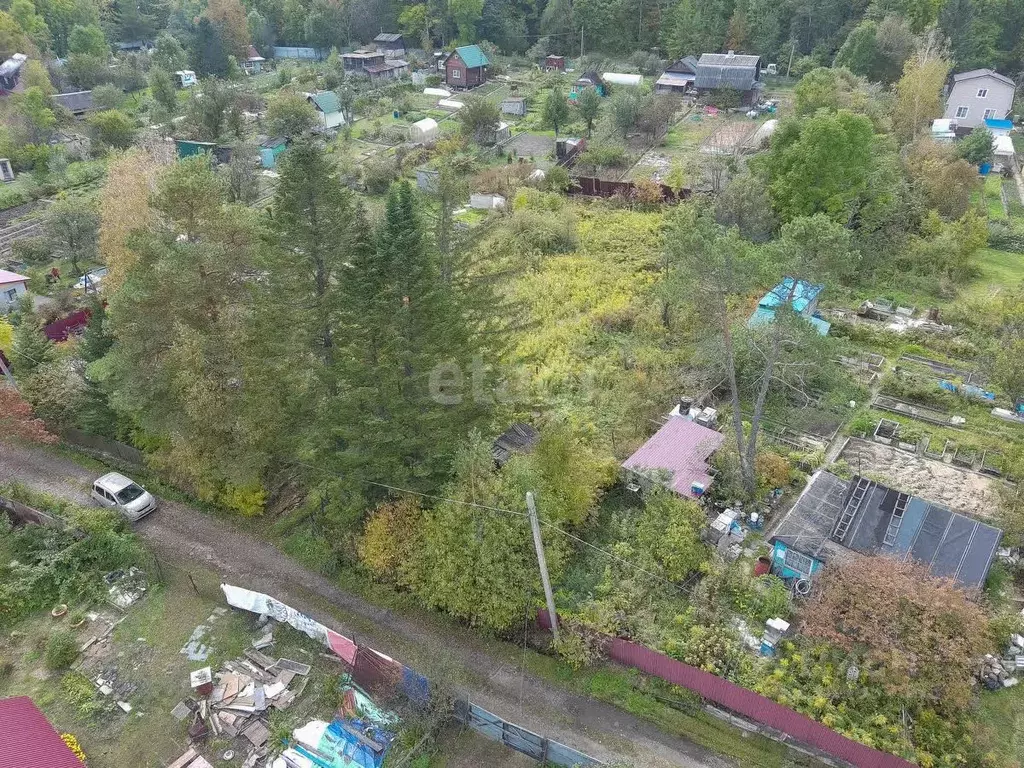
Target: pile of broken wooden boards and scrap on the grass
(236, 703)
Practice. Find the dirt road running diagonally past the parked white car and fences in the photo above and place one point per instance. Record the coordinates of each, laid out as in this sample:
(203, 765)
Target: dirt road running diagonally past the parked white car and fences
(182, 535)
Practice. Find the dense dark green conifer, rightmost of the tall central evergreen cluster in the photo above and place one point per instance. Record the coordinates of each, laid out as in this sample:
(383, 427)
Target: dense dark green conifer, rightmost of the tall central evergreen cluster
(407, 369)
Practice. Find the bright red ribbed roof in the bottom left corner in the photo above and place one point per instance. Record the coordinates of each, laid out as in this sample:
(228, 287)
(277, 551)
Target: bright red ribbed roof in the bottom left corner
(28, 740)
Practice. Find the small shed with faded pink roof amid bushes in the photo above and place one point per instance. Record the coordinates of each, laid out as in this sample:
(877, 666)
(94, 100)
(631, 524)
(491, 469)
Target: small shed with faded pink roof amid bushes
(676, 456)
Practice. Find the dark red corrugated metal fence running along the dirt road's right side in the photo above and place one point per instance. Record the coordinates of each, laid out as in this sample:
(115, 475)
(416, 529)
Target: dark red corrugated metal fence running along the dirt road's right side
(748, 704)
